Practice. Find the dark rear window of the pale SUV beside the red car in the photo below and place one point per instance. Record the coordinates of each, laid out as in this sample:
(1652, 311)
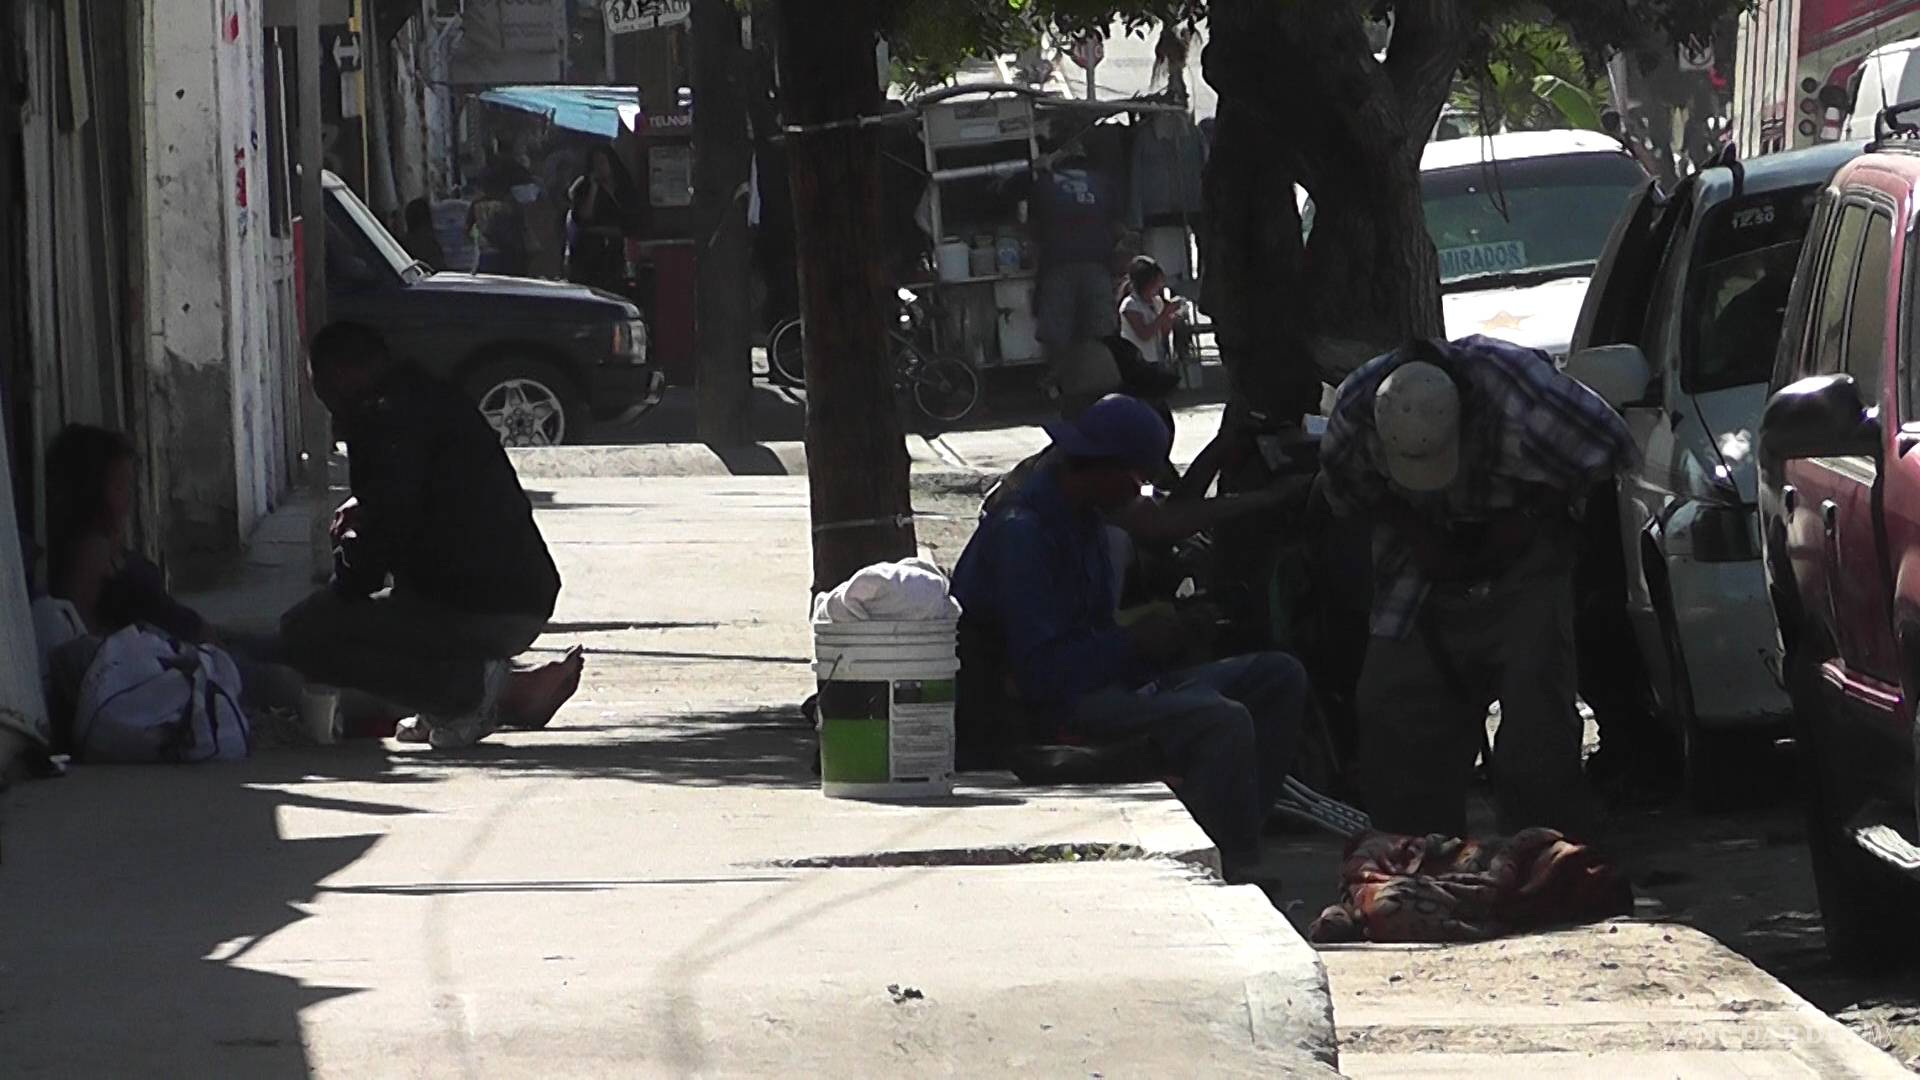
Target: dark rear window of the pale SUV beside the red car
(1739, 293)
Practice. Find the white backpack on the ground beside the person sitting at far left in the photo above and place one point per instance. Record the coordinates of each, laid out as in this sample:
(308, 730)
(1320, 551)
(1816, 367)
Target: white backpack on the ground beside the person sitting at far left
(153, 699)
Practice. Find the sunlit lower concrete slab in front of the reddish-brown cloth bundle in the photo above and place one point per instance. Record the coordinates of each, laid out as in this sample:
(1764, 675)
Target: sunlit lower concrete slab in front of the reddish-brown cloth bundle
(1587, 1004)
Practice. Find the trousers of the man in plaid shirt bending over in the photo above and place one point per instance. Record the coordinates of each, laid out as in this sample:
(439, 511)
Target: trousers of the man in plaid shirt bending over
(1424, 708)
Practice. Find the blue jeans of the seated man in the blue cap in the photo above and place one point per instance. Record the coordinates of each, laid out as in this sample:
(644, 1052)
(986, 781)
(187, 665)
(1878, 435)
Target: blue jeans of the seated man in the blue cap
(1226, 729)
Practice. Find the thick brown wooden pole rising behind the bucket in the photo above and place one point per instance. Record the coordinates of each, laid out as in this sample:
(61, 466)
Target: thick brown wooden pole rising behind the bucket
(855, 447)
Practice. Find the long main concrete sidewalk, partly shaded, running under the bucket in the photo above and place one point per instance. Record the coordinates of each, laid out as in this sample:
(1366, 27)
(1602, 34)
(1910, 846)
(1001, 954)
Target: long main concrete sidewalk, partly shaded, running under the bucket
(650, 887)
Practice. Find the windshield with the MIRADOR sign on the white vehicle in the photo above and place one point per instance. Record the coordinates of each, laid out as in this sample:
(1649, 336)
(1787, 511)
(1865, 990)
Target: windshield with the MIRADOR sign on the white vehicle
(1527, 216)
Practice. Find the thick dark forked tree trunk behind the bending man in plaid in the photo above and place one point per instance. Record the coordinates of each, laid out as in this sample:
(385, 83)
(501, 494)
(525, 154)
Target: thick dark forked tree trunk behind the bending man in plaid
(1305, 101)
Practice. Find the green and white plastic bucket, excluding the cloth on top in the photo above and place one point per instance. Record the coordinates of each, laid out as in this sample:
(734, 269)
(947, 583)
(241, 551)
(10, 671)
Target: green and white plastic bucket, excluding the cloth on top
(886, 708)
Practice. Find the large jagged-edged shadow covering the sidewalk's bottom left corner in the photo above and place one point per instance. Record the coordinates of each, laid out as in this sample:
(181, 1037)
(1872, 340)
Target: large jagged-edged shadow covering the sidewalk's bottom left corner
(132, 902)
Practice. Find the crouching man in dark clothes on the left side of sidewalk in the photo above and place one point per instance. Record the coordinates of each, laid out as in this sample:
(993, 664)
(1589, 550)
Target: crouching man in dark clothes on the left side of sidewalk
(441, 576)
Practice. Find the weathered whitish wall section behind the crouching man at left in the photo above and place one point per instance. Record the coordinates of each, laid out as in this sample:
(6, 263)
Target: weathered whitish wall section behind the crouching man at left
(218, 347)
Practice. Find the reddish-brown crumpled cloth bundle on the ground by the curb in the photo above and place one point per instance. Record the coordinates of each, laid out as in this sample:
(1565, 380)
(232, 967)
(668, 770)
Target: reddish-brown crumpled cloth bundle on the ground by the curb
(1443, 889)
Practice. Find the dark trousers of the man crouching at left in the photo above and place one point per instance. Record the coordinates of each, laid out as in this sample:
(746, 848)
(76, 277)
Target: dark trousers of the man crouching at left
(414, 652)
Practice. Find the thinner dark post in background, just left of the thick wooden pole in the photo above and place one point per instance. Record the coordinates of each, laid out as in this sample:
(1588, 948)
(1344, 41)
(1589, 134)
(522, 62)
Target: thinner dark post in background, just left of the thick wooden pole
(725, 260)
